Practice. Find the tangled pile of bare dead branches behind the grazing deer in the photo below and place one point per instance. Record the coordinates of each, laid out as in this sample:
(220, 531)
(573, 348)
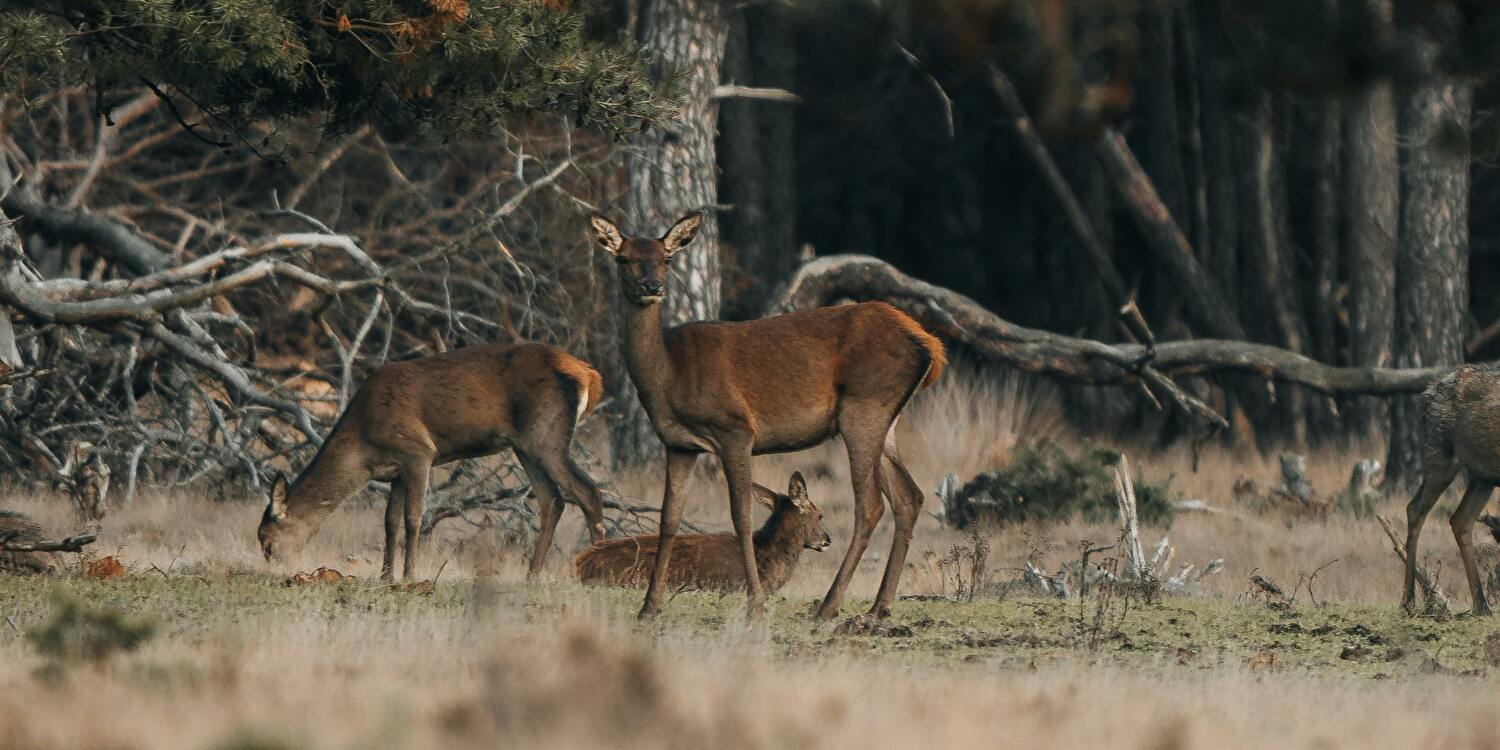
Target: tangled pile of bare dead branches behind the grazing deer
(193, 332)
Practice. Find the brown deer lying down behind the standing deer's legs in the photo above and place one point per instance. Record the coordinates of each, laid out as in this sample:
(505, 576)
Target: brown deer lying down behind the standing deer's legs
(712, 562)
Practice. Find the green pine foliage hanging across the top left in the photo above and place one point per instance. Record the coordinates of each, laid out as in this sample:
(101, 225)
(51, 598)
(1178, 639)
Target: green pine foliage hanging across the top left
(449, 67)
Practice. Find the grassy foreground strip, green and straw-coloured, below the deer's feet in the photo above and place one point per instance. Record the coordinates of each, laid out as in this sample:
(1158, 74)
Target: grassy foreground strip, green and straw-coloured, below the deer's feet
(244, 661)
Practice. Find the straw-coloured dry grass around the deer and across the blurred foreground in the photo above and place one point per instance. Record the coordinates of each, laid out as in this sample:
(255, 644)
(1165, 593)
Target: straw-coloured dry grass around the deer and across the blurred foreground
(248, 664)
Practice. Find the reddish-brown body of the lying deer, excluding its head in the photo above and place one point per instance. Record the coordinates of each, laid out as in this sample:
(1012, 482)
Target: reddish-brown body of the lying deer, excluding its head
(703, 562)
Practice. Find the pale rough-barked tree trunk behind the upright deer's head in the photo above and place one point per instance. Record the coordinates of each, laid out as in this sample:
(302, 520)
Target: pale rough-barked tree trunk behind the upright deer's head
(673, 172)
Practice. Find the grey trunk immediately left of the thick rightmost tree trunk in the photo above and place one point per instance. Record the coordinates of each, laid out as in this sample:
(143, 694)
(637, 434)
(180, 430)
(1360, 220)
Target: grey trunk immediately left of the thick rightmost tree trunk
(1373, 173)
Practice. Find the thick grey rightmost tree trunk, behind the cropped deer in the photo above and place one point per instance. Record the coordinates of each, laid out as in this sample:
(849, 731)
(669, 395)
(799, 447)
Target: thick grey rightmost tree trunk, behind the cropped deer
(1433, 262)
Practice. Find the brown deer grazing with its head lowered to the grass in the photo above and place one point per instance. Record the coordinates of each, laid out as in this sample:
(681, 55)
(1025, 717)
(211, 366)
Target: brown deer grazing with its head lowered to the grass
(415, 415)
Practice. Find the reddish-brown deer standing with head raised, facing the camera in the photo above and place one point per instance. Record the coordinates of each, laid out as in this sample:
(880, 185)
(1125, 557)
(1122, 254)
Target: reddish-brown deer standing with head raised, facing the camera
(773, 386)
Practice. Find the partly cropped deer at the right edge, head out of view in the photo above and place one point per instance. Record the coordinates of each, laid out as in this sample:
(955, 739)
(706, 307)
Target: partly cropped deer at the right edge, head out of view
(1462, 433)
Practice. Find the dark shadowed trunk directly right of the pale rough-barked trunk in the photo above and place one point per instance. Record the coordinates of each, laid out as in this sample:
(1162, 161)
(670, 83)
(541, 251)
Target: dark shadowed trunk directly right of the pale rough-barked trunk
(758, 160)
